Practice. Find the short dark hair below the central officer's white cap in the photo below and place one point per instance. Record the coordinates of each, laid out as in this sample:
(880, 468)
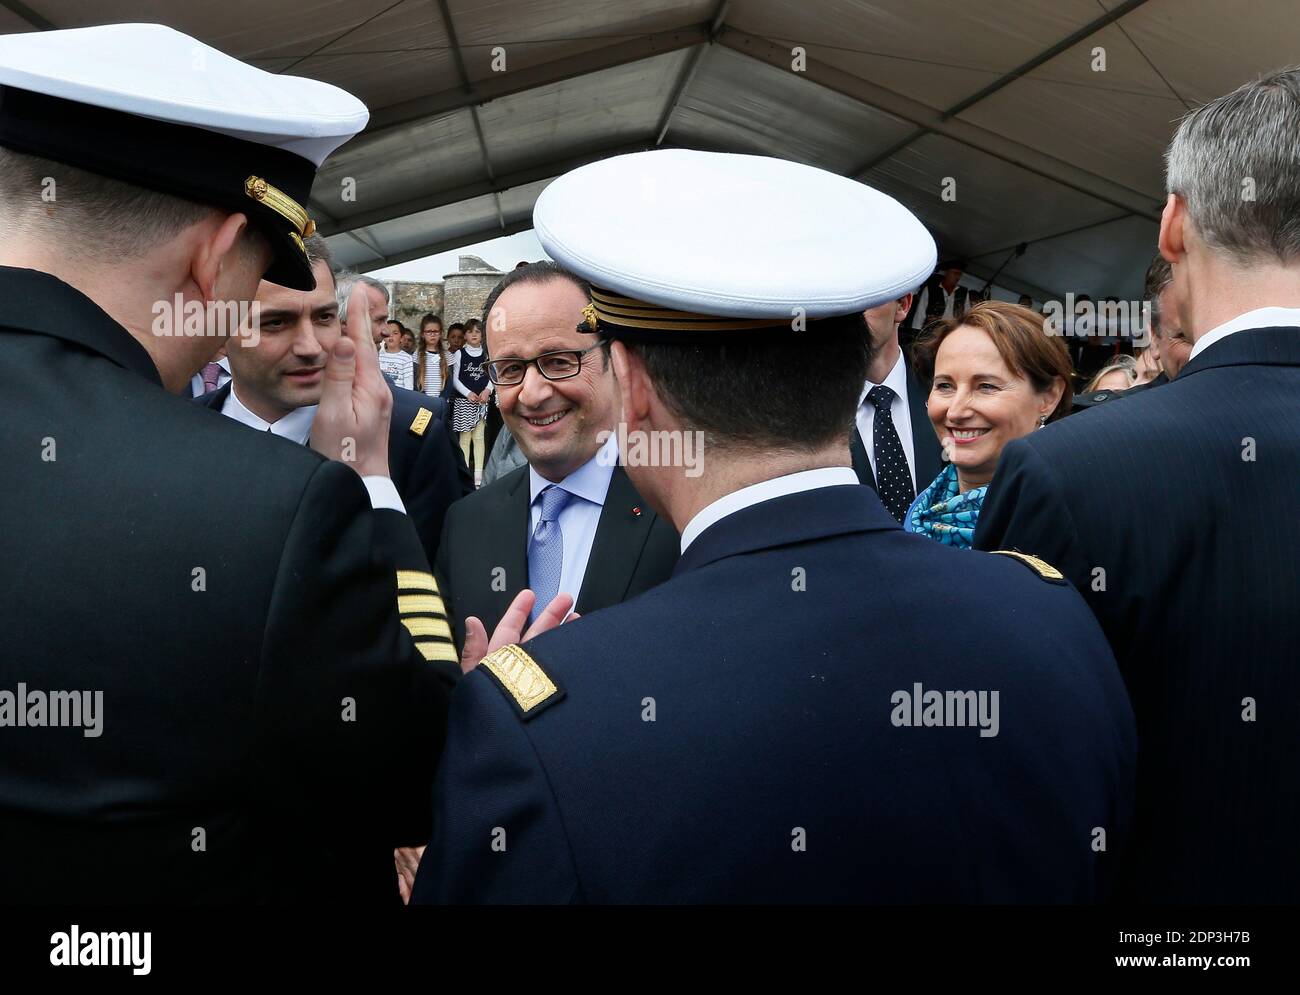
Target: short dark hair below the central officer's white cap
(748, 395)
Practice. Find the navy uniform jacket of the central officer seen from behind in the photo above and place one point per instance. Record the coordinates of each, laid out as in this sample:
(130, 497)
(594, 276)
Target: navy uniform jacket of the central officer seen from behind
(773, 771)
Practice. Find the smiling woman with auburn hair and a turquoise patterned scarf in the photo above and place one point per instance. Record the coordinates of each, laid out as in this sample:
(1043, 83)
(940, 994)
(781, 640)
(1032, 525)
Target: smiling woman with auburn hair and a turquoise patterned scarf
(996, 375)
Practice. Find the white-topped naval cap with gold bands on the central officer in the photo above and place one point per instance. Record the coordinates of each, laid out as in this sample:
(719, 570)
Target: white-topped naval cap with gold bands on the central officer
(683, 245)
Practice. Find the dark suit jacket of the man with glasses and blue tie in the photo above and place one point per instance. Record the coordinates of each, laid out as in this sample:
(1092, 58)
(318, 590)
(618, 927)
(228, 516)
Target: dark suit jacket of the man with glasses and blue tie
(489, 531)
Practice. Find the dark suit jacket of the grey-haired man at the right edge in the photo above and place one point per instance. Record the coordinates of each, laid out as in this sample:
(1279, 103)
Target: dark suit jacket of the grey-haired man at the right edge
(1175, 514)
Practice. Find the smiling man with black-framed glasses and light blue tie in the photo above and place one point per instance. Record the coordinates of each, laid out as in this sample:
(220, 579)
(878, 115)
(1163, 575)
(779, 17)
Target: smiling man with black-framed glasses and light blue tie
(570, 521)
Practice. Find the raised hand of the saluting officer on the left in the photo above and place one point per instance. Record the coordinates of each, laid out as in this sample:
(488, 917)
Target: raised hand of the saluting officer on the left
(353, 421)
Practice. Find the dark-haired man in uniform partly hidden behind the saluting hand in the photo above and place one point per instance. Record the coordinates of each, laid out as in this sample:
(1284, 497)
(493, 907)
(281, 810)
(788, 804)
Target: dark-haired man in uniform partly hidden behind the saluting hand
(278, 382)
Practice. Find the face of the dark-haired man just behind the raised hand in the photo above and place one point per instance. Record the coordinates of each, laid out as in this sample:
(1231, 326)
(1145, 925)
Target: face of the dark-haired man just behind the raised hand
(297, 331)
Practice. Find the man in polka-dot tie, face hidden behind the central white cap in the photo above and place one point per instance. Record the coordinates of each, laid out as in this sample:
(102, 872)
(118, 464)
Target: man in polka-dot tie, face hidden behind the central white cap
(892, 435)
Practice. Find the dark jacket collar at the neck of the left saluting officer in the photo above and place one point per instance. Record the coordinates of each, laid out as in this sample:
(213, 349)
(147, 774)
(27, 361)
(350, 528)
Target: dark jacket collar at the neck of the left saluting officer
(37, 302)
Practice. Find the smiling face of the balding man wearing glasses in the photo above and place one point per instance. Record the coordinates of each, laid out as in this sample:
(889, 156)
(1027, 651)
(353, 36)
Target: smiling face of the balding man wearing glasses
(556, 422)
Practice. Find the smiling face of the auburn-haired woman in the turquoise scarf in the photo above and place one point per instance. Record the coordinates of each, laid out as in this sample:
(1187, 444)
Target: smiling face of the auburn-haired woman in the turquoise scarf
(978, 404)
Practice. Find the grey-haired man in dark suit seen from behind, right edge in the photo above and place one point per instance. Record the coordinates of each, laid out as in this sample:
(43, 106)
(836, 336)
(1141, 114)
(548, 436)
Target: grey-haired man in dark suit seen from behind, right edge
(1172, 514)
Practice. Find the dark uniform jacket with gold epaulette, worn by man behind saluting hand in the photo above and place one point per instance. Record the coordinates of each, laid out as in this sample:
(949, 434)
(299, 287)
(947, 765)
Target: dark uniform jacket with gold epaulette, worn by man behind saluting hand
(427, 466)
